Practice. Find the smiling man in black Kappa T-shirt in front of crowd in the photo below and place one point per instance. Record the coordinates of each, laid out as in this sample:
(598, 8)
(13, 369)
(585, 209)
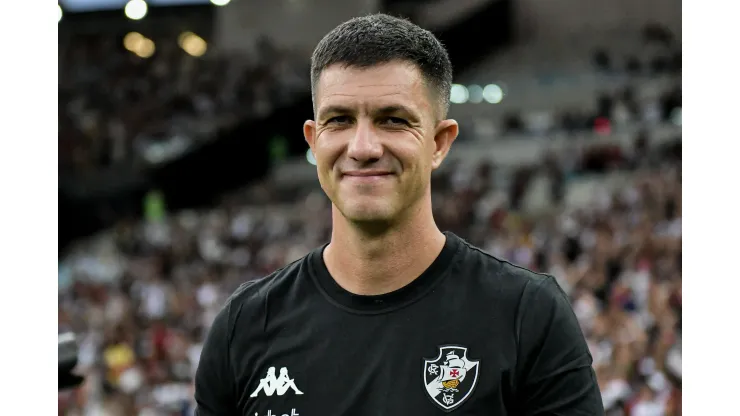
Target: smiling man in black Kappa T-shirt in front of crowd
(392, 317)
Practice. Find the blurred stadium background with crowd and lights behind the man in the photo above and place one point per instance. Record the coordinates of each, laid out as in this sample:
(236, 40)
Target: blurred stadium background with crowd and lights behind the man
(183, 172)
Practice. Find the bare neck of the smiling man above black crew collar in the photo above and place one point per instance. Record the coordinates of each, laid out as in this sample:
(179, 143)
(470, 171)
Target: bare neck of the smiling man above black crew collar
(373, 262)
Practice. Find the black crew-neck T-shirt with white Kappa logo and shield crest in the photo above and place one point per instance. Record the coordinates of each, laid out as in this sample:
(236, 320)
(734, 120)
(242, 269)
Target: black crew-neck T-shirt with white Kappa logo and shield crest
(473, 335)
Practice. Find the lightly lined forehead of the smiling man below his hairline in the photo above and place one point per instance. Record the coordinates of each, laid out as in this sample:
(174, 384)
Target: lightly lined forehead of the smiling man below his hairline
(395, 83)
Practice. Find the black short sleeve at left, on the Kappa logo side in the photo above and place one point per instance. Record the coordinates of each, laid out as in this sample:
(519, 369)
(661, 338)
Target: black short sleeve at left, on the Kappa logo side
(214, 379)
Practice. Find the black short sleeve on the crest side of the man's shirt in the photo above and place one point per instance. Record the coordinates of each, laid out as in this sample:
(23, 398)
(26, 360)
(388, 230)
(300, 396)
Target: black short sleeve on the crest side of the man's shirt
(554, 375)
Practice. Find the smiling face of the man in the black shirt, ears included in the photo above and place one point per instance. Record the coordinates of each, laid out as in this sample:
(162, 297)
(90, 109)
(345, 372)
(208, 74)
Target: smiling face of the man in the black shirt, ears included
(376, 139)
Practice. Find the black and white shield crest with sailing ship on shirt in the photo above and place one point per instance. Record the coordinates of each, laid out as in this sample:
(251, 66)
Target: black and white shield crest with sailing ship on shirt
(451, 377)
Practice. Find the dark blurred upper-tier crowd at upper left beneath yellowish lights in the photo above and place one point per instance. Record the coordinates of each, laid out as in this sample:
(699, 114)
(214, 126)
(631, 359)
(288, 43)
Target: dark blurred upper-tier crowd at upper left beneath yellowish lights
(119, 100)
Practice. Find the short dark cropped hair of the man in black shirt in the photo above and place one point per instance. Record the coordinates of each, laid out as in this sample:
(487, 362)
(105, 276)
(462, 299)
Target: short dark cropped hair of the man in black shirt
(377, 39)
